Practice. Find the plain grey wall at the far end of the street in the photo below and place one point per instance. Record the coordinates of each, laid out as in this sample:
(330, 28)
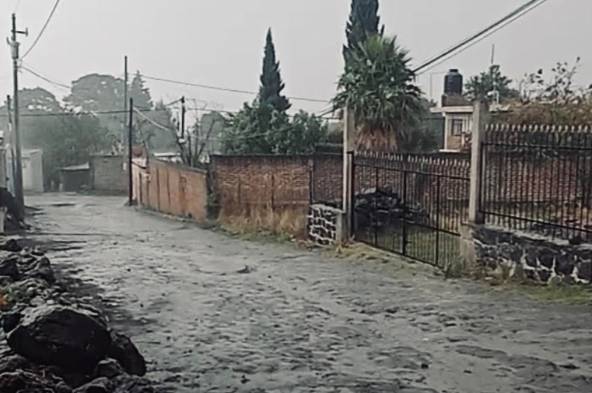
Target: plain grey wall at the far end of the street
(108, 174)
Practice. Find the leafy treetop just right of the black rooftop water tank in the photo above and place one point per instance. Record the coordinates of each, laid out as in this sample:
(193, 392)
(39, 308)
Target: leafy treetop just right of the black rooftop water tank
(482, 86)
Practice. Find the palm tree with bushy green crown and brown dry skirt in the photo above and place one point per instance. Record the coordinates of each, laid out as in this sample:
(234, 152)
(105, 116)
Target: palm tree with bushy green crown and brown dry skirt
(378, 87)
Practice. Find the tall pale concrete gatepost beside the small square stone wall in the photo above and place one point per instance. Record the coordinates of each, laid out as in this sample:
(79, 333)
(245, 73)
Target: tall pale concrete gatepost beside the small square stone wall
(348, 150)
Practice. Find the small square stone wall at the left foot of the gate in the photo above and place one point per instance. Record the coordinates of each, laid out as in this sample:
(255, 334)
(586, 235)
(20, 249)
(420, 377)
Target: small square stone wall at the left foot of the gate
(325, 225)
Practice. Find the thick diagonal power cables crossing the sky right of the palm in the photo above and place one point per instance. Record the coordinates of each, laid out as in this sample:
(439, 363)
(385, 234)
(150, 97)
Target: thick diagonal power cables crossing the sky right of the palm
(479, 36)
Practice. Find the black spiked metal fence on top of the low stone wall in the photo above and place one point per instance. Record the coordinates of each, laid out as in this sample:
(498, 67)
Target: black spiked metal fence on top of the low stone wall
(538, 179)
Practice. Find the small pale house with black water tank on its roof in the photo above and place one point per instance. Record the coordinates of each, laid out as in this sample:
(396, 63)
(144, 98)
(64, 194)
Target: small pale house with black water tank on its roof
(457, 113)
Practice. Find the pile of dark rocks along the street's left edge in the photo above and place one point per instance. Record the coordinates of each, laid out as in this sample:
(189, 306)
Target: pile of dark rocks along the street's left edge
(52, 342)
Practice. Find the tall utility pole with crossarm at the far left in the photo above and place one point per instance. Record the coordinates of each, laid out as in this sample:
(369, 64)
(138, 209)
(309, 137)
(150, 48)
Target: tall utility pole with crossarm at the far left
(18, 179)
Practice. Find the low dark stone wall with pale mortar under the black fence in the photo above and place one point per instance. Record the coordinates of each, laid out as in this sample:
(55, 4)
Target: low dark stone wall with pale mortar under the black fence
(522, 255)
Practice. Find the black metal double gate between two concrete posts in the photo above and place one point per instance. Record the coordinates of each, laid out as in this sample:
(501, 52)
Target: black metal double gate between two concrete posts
(411, 205)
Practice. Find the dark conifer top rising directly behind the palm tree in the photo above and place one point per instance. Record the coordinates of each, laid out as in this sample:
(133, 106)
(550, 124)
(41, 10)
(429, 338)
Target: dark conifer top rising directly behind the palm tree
(363, 22)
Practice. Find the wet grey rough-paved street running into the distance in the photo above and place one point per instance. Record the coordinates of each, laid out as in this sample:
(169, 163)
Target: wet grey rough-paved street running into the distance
(297, 321)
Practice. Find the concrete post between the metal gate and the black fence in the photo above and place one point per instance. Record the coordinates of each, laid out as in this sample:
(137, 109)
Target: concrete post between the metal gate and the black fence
(480, 119)
